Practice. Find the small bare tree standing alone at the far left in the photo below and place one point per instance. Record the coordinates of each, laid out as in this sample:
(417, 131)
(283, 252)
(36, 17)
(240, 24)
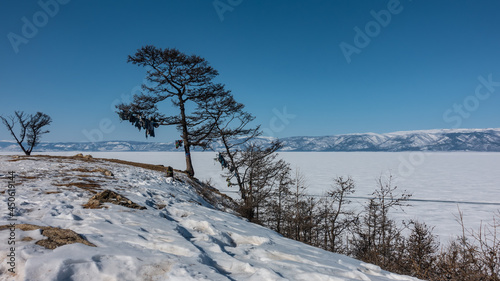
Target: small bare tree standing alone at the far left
(31, 128)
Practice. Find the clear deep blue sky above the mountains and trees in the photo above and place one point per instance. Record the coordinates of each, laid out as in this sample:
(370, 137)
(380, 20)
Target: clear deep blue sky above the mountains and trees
(408, 65)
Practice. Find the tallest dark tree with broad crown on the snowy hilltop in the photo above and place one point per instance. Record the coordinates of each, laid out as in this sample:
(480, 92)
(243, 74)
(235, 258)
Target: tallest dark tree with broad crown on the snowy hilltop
(186, 81)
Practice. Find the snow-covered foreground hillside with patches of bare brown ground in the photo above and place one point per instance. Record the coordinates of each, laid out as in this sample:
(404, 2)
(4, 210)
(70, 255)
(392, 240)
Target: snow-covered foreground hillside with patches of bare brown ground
(178, 237)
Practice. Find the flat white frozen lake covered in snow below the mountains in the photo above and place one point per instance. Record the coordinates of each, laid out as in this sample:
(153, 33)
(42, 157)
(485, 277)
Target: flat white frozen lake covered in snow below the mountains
(440, 182)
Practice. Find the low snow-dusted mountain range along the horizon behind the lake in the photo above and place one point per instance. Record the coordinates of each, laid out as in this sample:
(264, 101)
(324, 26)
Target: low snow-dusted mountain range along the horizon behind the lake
(430, 140)
